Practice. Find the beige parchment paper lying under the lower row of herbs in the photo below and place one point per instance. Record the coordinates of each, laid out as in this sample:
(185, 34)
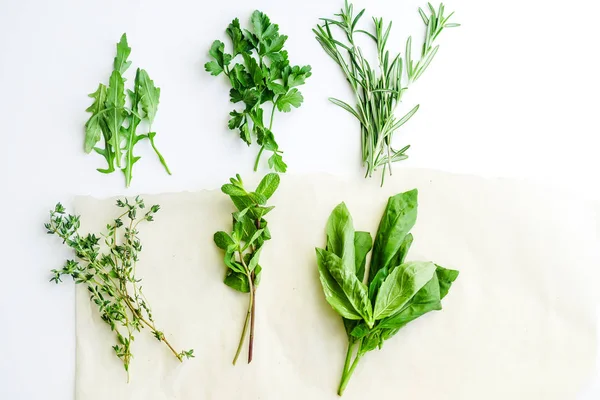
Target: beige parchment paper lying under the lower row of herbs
(519, 323)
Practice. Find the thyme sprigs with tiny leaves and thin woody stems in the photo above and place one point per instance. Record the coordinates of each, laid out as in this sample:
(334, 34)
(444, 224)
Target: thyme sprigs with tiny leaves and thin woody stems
(109, 272)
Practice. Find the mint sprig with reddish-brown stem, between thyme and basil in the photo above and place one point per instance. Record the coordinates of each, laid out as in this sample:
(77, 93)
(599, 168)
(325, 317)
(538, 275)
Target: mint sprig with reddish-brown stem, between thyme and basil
(243, 246)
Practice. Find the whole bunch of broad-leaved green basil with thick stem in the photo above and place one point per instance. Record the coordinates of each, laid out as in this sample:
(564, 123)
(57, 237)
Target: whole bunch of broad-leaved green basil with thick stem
(377, 303)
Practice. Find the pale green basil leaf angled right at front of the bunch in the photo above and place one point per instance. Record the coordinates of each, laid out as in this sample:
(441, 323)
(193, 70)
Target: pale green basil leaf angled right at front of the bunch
(400, 286)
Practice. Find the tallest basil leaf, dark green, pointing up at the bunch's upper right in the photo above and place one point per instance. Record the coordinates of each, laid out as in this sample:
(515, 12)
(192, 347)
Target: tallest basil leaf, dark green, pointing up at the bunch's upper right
(398, 219)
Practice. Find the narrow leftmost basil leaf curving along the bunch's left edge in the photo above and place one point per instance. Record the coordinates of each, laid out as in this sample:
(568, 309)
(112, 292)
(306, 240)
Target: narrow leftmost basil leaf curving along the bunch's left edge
(334, 294)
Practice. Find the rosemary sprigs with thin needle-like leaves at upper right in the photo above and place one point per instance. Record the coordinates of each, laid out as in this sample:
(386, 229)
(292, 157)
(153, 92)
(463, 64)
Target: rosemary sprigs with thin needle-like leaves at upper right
(378, 93)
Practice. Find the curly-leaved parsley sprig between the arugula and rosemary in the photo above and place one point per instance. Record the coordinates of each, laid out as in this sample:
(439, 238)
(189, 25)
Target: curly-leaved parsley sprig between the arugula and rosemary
(265, 76)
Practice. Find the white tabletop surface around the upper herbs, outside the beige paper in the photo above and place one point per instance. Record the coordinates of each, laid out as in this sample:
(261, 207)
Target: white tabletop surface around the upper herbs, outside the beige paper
(512, 93)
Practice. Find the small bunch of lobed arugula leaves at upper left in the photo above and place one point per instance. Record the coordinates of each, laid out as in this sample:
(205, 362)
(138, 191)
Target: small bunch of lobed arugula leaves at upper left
(117, 119)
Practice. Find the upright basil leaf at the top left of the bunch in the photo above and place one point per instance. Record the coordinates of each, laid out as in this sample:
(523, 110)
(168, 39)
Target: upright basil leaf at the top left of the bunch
(340, 236)
